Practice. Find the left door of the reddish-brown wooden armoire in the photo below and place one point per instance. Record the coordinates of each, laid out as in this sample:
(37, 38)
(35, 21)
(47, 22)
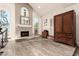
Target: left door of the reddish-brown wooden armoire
(58, 23)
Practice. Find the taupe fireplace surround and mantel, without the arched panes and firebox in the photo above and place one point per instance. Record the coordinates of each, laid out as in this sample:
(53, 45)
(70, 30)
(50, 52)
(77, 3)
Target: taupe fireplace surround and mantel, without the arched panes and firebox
(20, 27)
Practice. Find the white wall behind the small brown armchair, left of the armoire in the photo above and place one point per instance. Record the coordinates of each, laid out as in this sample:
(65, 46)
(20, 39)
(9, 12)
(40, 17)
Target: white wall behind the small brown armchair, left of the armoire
(48, 27)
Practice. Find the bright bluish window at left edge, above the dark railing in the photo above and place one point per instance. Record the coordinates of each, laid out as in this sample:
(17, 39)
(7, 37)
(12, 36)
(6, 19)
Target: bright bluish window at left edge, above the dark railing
(4, 18)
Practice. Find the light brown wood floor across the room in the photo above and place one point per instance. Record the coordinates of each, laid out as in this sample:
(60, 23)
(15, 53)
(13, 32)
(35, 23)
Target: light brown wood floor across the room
(37, 47)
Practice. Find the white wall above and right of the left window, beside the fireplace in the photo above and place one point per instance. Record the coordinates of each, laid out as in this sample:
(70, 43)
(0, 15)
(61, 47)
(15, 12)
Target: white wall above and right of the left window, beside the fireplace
(11, 8)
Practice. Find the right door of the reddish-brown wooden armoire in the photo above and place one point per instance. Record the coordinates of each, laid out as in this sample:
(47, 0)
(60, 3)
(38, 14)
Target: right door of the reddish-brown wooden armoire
(67, 22)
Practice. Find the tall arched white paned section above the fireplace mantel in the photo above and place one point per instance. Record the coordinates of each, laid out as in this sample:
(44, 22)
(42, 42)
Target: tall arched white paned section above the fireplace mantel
(24, 16)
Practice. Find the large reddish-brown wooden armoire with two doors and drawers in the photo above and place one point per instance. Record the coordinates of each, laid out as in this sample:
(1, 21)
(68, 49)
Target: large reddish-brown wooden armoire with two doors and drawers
(65, 28)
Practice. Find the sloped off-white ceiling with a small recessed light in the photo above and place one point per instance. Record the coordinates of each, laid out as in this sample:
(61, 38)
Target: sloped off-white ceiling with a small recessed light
(44, 8)
